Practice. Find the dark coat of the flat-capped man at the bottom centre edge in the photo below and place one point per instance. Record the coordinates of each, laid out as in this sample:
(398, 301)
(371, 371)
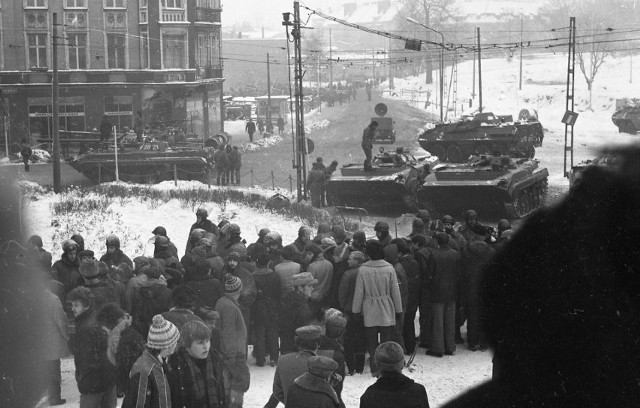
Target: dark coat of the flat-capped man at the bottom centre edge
(311, 391)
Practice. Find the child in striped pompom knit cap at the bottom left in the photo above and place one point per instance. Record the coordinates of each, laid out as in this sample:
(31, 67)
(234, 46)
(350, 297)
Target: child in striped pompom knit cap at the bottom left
(148, 385)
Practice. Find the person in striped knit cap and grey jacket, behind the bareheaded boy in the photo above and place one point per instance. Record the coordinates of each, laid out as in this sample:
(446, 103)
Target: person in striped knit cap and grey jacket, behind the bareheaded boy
(234, 342)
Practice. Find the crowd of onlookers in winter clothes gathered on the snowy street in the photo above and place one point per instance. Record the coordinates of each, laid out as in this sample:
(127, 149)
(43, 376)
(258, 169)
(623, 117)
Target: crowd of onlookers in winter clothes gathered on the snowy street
(313, 309)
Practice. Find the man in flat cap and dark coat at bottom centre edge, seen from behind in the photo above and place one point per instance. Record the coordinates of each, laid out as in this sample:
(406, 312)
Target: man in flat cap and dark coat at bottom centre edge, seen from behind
(313, 388)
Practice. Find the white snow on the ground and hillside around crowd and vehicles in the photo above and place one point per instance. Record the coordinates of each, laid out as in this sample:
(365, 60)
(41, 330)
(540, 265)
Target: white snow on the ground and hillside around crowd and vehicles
(543, 90)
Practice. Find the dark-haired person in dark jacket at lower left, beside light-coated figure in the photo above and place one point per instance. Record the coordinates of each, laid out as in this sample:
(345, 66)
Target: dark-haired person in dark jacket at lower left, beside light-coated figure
(95, 374)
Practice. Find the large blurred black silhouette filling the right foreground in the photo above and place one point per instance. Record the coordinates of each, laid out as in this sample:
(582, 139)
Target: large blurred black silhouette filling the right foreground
(562, 300)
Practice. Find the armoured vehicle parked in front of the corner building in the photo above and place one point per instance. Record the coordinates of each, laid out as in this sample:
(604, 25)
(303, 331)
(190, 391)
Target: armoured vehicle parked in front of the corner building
(151, 162)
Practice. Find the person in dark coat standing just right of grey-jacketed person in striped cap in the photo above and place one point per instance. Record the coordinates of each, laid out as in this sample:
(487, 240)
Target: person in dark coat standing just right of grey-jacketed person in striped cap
(265, 309)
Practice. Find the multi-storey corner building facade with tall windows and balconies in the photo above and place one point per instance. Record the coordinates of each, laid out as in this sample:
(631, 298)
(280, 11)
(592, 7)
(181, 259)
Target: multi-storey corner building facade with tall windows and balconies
(114, 58)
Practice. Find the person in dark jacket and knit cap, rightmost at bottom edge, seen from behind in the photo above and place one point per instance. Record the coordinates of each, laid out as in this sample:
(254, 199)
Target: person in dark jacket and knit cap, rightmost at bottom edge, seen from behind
(393, 389)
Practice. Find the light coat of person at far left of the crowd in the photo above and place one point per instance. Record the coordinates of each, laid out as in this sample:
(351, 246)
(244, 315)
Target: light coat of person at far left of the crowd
(55, 328)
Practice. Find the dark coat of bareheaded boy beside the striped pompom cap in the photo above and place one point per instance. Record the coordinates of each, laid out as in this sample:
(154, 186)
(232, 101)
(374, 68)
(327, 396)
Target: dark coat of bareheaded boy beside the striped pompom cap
(183, 385)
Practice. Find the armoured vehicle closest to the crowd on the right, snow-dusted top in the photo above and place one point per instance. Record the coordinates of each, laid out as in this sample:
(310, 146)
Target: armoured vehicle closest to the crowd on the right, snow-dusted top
(492, 185)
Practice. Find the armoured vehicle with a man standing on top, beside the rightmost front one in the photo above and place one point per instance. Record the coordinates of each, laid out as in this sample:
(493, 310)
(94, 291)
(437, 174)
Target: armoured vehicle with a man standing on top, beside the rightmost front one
(395, 176)
